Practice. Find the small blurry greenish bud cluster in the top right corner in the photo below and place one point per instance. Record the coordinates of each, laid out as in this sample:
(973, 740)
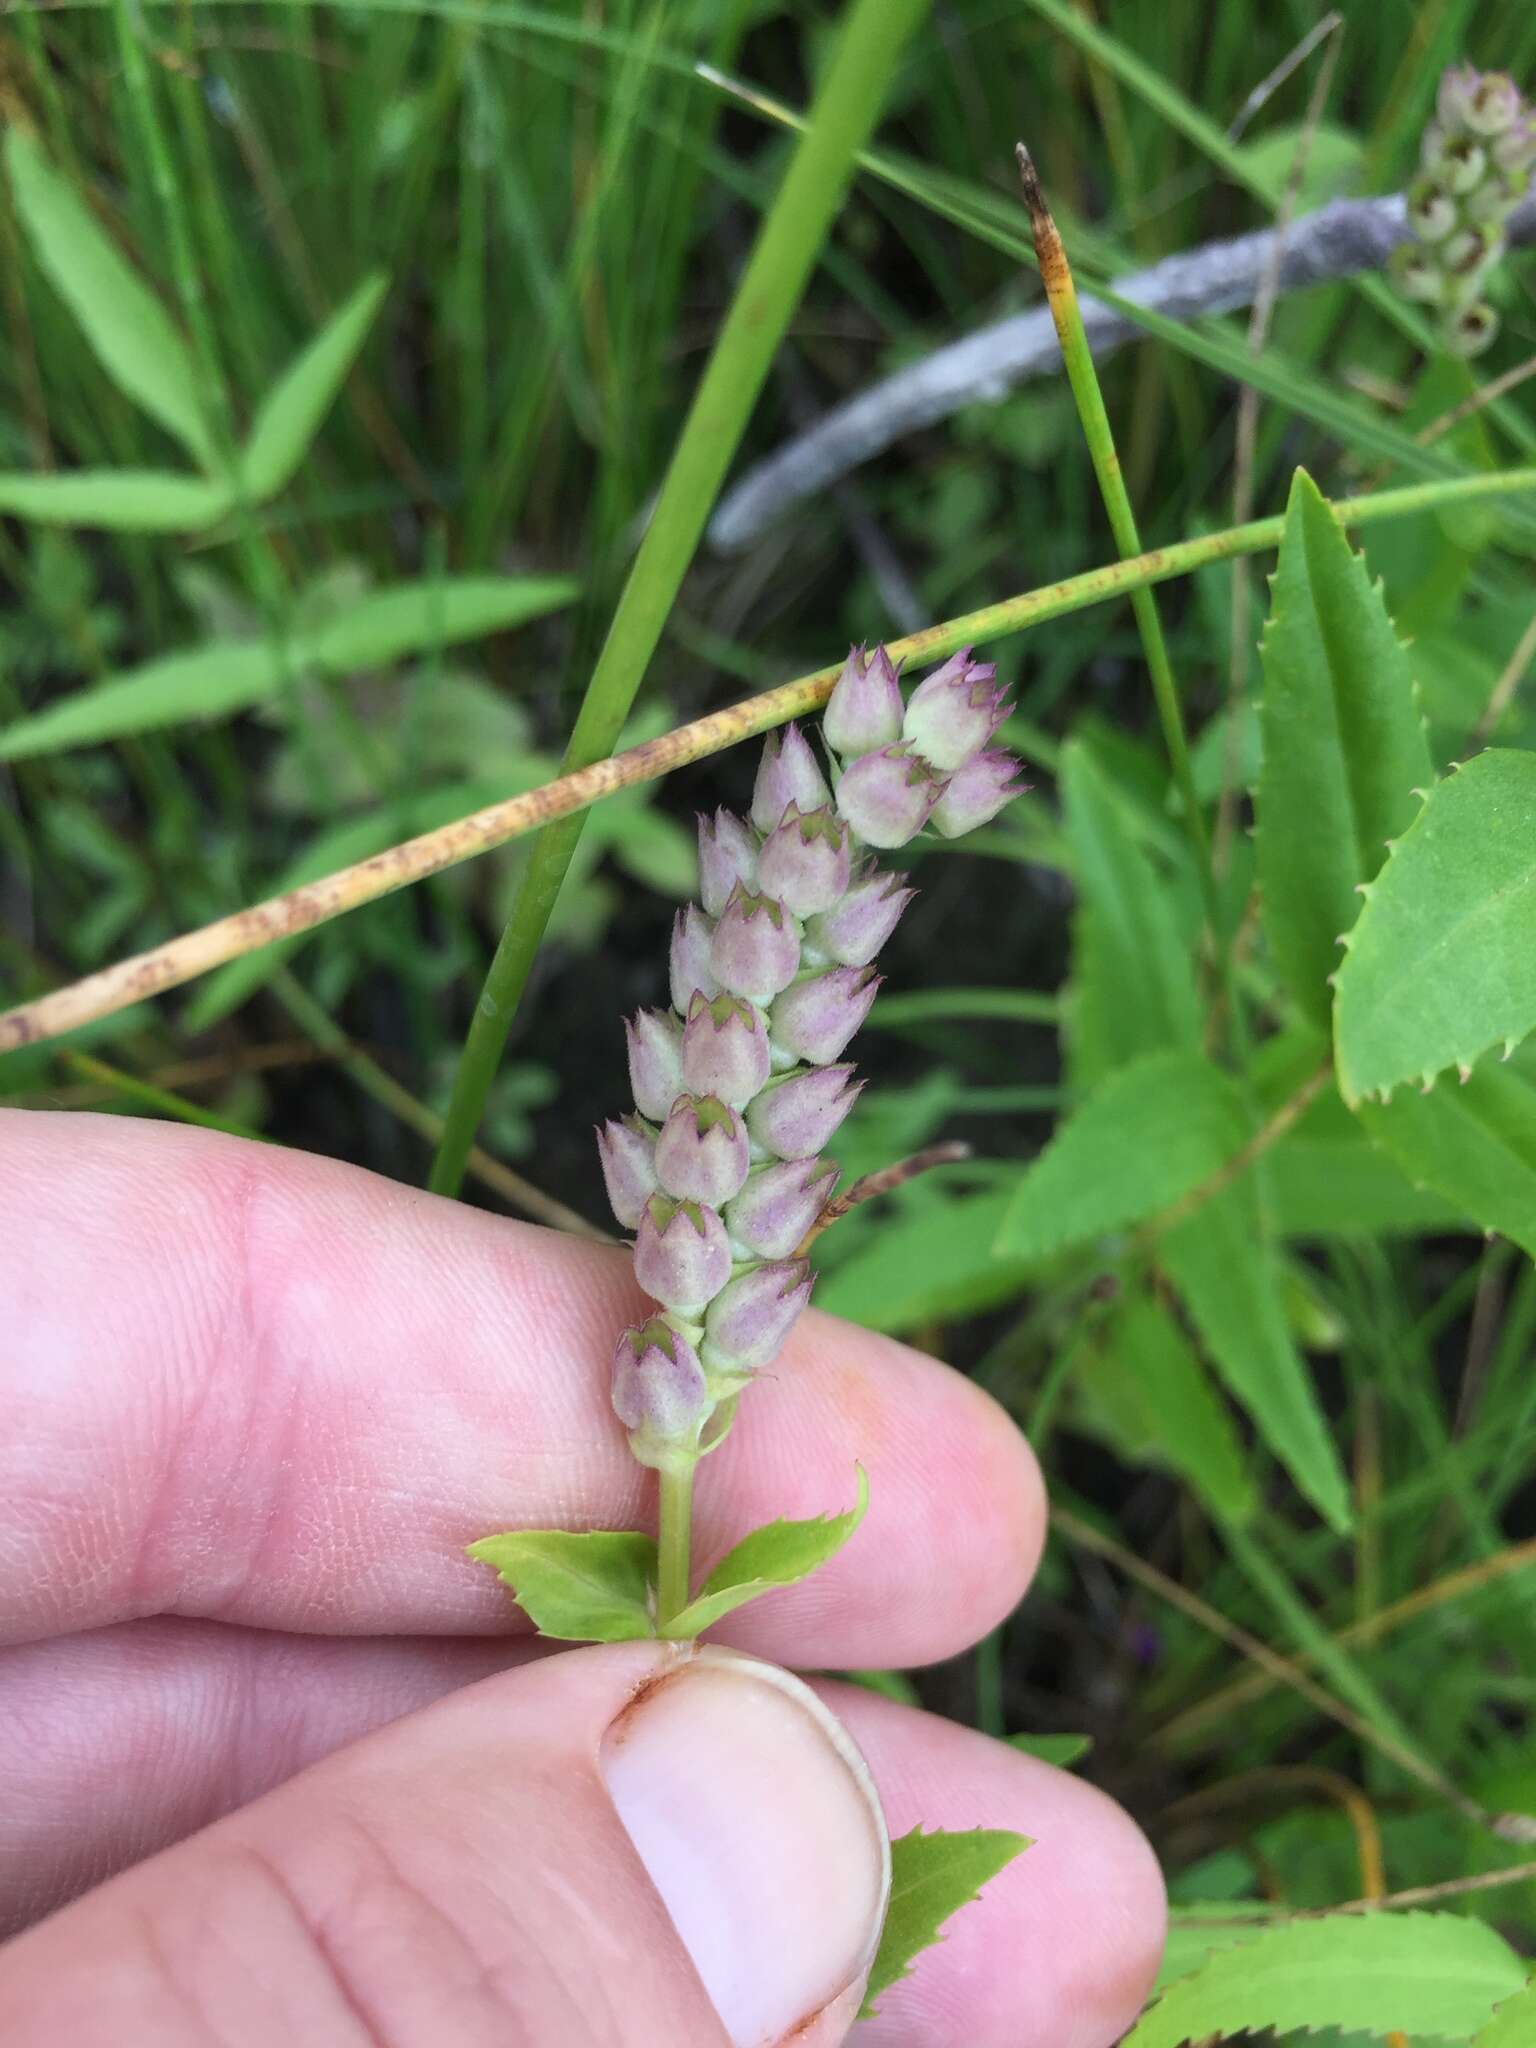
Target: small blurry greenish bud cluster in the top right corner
(1474, 171)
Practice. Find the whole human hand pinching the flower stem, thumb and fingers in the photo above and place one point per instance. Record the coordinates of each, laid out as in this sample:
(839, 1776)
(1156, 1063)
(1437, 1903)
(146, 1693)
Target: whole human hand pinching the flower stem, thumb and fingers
(255, 1404)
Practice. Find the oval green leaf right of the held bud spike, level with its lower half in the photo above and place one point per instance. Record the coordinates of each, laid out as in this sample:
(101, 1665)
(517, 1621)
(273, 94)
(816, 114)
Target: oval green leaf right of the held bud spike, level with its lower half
(1144, 1140)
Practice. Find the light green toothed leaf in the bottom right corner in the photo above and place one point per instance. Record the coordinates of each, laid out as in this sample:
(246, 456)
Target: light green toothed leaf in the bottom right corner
(1428, 1975)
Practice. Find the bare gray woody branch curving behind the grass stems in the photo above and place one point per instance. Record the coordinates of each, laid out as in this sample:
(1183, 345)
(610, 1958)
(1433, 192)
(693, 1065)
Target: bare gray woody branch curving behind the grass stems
(1336, 241)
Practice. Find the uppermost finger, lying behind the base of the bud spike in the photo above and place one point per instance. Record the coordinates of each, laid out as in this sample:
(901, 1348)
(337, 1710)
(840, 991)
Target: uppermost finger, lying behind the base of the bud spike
(259, 1388)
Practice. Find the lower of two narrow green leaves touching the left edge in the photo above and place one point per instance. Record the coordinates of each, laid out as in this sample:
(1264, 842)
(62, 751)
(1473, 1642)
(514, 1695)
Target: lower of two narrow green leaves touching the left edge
(204, 683)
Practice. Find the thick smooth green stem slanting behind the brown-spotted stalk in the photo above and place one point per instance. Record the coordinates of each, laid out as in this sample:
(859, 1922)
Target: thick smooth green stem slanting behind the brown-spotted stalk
(761, 310)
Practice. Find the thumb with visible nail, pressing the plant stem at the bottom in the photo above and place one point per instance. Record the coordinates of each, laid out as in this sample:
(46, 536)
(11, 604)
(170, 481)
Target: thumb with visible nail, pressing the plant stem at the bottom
(617, 1846)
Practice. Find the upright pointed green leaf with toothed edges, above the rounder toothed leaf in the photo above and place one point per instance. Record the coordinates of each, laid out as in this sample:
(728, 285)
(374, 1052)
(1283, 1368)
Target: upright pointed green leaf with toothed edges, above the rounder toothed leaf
(1342, 746)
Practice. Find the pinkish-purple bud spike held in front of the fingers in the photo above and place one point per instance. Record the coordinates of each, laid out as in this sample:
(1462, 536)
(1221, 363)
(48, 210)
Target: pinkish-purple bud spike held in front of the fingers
(740, 1084)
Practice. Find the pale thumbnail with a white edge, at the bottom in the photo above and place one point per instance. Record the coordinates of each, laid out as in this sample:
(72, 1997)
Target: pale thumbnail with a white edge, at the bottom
(759, 1826)
